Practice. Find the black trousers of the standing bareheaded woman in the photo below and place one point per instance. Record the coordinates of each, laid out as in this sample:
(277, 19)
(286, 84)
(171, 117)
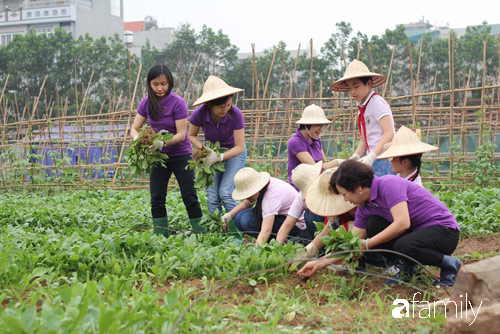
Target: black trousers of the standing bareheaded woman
(158, 182)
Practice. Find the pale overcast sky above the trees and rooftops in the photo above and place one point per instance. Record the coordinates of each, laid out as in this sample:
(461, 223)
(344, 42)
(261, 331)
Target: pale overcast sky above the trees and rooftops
(266, 22)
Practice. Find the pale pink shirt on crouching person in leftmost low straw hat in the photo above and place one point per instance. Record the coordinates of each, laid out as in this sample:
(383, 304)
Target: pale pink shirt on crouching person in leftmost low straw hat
(278, 198)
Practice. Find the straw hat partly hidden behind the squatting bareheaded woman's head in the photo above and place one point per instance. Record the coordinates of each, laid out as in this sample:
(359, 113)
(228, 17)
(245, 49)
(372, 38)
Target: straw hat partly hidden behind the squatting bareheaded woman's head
(321, 201)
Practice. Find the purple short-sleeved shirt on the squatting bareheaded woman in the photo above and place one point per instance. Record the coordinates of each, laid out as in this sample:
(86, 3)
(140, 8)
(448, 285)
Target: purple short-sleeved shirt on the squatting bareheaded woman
(388, 190)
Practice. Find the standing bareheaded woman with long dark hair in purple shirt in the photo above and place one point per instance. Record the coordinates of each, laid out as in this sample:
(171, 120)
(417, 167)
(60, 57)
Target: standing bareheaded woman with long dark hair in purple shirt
(165, 110)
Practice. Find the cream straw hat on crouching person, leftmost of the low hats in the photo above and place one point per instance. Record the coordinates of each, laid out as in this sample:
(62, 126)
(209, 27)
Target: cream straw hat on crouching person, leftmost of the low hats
(247, 182)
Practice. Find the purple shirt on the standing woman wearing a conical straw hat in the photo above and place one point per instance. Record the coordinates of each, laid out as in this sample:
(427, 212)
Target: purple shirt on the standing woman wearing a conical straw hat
(223, 131)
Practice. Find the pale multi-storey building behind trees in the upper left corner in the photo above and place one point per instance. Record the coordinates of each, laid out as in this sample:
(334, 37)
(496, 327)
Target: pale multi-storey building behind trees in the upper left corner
(95, 17)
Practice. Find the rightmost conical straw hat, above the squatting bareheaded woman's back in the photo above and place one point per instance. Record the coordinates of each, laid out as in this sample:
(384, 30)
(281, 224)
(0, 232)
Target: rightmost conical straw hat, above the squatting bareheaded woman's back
(406, 142)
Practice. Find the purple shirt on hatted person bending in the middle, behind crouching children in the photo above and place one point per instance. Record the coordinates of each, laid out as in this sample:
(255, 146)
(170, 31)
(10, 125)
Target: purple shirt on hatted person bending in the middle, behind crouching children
(298, 143)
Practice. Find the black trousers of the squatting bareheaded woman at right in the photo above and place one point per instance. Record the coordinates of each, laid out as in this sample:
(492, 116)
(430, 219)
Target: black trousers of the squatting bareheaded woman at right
(427, 245)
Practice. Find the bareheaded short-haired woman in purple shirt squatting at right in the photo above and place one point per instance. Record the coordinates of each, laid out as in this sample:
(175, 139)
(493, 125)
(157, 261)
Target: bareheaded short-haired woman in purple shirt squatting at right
(399, 215)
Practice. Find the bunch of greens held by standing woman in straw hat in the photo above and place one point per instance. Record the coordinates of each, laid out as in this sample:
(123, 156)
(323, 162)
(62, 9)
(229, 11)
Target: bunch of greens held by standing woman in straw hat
(205, 174)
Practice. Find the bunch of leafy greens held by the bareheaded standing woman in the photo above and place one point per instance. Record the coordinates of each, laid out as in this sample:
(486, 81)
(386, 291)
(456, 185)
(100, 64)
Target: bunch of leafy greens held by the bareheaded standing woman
(139, 157)
